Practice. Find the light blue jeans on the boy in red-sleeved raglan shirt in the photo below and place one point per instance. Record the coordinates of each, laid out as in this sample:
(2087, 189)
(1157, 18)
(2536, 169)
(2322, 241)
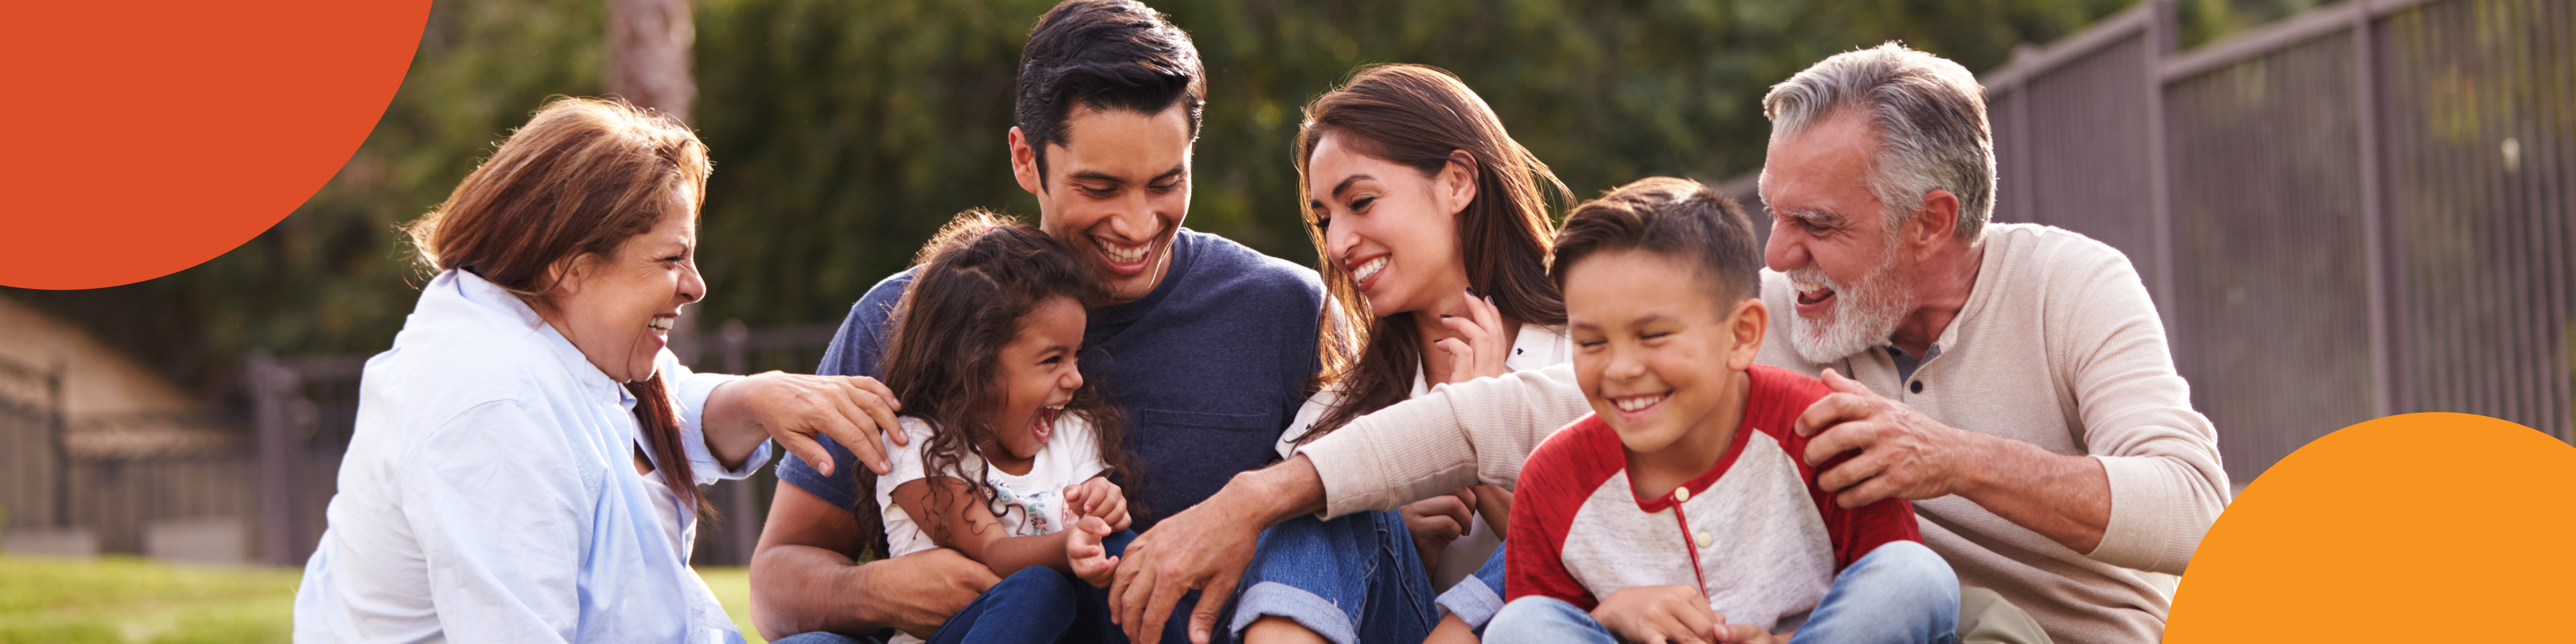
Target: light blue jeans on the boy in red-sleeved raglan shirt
(1897, 594)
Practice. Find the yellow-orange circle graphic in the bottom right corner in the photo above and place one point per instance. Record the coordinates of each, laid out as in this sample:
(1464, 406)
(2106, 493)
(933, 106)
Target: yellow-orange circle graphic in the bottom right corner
(2400, 529)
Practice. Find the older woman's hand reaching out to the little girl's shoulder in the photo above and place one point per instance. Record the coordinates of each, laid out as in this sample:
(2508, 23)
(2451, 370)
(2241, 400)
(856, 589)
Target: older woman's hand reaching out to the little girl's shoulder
(795, 408)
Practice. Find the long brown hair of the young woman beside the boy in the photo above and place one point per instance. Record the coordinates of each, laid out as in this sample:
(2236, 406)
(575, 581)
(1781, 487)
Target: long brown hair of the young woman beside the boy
(1416, 115)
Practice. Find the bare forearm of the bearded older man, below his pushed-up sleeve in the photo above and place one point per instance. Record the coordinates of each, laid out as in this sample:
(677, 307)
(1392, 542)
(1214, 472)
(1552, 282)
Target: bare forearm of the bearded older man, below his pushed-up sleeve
(2065, 498)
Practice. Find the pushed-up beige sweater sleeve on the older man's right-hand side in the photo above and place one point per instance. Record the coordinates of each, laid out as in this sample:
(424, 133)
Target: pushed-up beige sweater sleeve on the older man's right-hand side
(2157, 452)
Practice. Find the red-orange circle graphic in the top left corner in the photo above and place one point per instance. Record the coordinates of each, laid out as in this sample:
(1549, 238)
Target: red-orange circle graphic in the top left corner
(158, 135)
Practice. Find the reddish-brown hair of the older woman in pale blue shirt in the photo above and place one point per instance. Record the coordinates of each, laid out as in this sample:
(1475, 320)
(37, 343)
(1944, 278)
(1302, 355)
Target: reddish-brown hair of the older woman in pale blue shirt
(578, 179)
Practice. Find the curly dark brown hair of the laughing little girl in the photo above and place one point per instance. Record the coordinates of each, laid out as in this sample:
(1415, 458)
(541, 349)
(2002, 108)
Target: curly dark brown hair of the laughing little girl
(975, 287)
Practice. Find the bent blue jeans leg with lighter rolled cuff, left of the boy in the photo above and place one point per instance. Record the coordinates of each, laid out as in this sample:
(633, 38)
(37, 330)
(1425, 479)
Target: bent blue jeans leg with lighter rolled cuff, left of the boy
(1354, 578)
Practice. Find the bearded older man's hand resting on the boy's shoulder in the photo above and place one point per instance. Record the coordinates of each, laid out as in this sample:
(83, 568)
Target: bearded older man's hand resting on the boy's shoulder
(1902, 452)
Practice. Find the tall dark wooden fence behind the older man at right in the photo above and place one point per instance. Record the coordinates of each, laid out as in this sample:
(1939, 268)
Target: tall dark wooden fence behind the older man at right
(2358, 213)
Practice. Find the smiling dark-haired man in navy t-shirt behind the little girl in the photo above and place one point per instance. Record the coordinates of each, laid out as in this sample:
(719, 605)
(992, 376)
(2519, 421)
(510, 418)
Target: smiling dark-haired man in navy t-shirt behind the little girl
(1207, 344)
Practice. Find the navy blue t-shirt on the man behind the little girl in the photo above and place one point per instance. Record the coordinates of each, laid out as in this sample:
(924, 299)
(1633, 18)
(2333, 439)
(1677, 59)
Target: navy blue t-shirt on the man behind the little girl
(1209, 370)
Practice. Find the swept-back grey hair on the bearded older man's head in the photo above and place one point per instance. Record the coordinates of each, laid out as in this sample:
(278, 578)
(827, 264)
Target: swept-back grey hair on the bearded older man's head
(1931, 120)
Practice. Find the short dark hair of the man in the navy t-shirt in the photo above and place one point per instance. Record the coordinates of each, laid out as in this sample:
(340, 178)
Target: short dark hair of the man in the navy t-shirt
(1106, 55)
